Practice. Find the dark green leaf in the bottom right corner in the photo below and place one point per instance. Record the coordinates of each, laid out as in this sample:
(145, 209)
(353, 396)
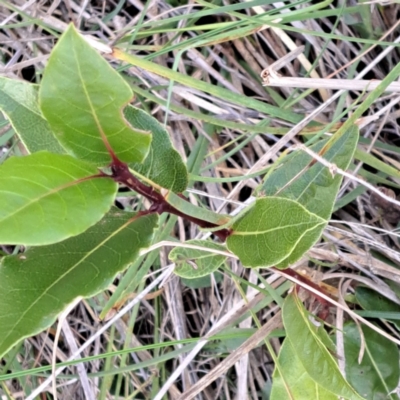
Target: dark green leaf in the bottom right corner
(378, 373)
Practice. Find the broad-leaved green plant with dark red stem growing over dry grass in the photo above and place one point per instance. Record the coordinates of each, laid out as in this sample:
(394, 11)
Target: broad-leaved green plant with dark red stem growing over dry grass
(84, 141)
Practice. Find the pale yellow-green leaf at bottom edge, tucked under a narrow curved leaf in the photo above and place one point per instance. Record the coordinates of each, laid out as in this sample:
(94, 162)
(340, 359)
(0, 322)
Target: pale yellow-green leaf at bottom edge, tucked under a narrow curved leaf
(291, 381)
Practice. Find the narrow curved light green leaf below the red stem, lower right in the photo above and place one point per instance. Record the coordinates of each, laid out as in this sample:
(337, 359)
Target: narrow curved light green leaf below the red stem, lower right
(311, 346)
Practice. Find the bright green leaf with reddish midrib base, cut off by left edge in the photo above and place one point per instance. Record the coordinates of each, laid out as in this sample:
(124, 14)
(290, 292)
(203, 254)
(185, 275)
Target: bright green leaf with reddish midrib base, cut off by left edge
(46, 198)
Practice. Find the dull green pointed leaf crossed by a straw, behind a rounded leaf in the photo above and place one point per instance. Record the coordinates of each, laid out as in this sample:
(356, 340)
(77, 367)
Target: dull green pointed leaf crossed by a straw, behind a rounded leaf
(315, 187)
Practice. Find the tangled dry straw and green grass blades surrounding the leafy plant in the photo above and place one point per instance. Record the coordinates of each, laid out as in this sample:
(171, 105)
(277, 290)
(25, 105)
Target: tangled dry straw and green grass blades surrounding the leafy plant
(360, 244)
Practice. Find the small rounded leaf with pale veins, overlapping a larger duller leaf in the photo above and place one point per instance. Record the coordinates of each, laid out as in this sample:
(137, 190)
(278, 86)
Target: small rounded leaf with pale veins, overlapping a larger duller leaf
(274, 230)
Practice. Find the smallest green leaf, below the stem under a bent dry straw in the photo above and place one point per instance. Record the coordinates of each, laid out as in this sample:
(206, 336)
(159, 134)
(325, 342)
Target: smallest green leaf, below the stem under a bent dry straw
(193, 263)
